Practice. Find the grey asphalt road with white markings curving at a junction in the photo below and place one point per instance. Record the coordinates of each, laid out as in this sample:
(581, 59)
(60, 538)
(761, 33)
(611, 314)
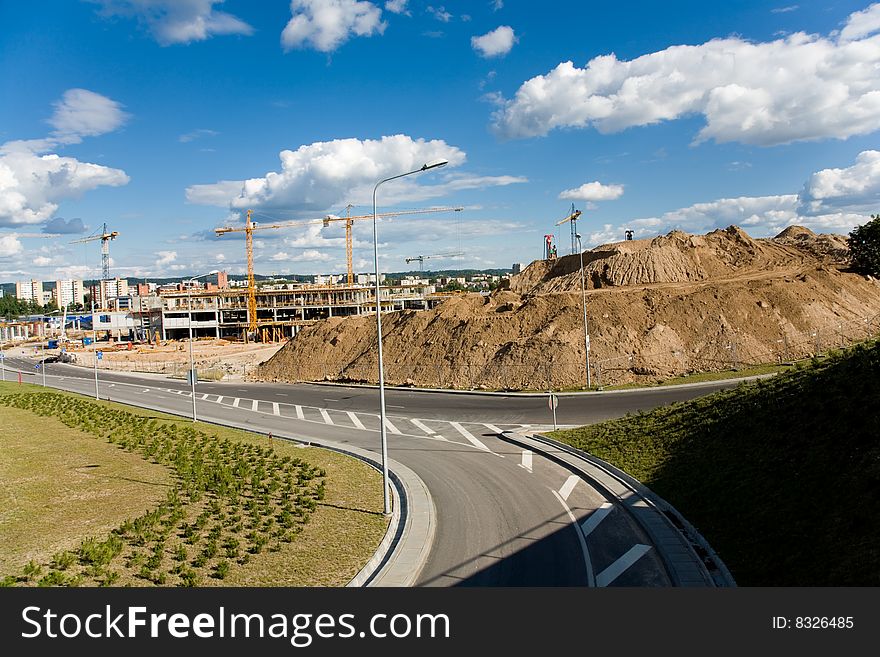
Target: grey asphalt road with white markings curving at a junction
(505, 516)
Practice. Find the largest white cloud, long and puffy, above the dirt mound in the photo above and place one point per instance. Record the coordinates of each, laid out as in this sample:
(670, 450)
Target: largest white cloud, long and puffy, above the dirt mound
(801, 87)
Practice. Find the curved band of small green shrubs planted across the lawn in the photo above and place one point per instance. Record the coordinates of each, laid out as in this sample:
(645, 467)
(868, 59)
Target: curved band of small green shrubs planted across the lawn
(227, 502)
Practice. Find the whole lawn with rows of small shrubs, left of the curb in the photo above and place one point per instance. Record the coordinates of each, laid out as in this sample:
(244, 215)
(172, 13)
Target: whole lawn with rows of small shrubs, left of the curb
(192, 505)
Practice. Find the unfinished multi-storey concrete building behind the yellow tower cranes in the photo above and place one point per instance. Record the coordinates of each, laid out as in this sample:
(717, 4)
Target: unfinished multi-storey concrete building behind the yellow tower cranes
(281, 310)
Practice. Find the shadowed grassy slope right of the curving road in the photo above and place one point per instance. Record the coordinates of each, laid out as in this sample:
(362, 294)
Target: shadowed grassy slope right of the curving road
(782, 475)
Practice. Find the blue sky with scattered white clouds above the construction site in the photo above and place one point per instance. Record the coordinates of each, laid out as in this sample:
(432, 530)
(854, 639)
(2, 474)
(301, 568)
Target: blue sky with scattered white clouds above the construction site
(168, 118)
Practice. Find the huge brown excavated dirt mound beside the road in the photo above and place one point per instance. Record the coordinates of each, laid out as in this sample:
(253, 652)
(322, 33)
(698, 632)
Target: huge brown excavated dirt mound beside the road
(656, 308)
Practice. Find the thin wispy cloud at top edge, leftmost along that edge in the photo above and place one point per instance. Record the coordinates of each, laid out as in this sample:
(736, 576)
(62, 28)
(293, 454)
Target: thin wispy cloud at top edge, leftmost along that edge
(177, 21)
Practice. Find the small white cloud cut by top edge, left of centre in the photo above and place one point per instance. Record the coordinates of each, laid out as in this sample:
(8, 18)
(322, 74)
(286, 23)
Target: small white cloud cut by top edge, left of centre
(326, 24)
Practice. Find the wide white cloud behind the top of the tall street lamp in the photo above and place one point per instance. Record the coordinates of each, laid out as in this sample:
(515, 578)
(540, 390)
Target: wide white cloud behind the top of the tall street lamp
(322, 175)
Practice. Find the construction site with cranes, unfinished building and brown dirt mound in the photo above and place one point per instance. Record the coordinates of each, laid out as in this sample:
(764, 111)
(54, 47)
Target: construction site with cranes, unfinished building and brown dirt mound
(629, 311)
